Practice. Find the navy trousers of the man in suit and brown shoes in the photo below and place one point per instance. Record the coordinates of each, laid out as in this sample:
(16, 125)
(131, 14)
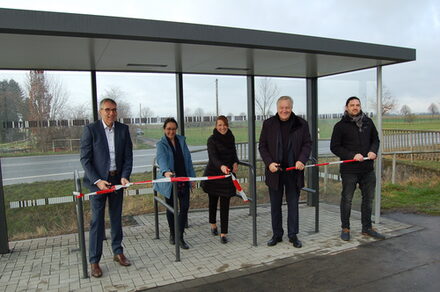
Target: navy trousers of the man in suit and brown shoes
(97, 224)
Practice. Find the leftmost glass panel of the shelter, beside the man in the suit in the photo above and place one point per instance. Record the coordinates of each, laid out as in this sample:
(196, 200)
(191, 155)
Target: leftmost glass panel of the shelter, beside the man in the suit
(42, 116)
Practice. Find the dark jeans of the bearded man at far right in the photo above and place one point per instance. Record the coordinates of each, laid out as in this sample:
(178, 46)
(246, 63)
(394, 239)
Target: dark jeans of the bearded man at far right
(367, 184)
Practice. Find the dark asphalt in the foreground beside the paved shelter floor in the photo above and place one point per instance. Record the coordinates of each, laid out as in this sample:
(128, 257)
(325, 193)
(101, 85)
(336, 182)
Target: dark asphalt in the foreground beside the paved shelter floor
(410, 262)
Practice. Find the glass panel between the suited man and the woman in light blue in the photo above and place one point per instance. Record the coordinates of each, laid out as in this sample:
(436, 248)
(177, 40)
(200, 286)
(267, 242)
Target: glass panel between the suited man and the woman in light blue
(144, 101)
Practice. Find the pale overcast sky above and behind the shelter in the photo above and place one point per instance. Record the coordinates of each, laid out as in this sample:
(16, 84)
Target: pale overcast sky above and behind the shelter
(406, 23)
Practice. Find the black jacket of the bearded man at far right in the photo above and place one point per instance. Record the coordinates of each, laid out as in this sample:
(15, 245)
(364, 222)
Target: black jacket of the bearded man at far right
(347, 141)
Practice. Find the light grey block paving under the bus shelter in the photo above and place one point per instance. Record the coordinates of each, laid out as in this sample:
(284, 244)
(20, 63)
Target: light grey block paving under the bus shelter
(53, 263)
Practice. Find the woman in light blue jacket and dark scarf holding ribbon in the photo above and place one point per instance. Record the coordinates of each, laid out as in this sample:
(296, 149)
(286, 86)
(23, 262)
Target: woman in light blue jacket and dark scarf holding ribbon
(174, 158)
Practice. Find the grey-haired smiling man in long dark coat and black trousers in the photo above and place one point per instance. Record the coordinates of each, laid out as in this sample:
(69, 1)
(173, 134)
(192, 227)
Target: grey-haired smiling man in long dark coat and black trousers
(285, 141)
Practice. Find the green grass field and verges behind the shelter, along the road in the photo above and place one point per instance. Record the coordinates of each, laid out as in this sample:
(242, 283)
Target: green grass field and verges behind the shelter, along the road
(418, 193)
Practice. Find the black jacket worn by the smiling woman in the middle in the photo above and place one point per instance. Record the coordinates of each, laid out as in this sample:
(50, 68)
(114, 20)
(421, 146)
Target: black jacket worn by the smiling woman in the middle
(221, 151)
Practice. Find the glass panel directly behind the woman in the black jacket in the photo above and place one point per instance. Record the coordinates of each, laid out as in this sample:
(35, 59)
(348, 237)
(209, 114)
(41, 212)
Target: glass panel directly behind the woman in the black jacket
(207, 96)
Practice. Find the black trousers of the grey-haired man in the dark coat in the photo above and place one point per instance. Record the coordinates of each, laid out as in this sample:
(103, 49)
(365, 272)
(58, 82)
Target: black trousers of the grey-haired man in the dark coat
(288, 186)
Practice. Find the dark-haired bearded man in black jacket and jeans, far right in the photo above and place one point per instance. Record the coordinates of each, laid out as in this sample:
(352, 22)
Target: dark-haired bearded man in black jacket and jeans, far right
(354, 137)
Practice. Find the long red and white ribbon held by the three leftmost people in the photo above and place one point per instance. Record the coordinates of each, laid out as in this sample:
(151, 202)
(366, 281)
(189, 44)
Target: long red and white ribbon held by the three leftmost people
(114, 188)
